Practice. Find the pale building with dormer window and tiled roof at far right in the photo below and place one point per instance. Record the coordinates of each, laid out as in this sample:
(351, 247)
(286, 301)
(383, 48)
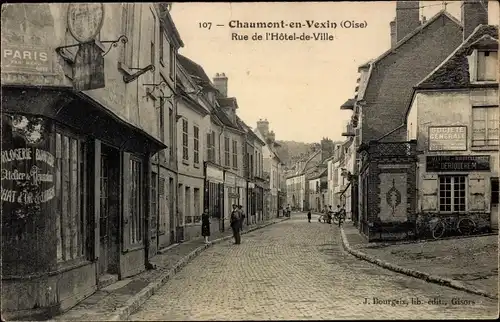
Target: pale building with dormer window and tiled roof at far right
(454, 116)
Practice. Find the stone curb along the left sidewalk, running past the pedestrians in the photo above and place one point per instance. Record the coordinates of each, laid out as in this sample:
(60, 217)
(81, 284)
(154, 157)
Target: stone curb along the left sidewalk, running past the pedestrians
(135, 302)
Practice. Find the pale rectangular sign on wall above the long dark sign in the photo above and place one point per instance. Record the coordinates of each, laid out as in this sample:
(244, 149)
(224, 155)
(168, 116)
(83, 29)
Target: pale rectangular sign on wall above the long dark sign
(447, 138)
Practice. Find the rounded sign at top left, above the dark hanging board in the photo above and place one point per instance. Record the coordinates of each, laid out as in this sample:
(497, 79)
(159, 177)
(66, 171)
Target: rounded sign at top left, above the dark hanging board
(85, 20)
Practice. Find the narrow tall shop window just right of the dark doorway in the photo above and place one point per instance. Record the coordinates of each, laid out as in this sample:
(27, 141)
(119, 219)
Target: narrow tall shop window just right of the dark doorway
(135, 201)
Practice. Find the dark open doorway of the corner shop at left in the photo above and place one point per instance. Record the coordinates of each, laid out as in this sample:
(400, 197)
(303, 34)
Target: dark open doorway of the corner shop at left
(108, 215)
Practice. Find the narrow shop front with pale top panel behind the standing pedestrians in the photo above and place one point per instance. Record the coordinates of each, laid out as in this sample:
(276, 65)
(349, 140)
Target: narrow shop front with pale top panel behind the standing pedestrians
(214, 195)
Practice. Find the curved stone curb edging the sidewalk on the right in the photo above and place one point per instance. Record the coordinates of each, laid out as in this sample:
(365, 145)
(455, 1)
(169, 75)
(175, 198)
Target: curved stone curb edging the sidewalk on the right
(413, 273)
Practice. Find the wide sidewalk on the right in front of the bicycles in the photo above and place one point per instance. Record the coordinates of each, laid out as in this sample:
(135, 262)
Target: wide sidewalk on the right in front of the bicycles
(471, 262)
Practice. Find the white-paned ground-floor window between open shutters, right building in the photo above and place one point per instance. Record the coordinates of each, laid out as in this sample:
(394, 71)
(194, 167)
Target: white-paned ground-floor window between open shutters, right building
(452, 193)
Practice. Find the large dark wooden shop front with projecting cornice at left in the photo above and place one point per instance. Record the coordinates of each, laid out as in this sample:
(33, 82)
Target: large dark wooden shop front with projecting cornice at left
(73, 179)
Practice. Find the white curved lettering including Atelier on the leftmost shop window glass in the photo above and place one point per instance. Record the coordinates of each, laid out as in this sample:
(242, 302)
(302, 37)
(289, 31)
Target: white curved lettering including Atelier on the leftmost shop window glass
(25, 186)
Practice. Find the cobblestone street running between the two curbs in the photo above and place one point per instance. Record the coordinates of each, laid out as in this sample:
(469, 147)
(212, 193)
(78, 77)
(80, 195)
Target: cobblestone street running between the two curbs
(298, 270)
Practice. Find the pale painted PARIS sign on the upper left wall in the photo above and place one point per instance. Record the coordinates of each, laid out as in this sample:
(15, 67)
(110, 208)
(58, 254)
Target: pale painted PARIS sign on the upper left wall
(20, 58)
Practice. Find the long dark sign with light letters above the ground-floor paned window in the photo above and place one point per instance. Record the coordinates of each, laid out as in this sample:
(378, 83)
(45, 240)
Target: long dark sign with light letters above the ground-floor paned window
(457, 163)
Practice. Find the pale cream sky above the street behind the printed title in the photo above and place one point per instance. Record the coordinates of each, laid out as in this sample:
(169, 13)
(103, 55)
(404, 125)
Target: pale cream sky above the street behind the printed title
(298, 86)
